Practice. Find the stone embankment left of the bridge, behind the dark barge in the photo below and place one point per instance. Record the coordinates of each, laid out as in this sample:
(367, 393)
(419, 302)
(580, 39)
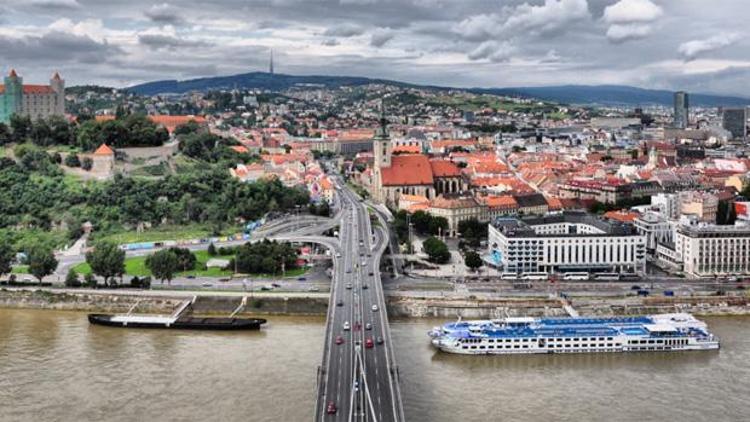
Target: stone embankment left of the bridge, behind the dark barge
(160, 303)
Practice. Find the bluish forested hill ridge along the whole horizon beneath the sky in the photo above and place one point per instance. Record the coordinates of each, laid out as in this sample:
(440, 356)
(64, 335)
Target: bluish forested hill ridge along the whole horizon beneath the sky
(568, 94)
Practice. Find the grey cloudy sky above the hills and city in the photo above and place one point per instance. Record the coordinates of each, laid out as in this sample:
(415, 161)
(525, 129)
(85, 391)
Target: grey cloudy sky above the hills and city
(697, 45)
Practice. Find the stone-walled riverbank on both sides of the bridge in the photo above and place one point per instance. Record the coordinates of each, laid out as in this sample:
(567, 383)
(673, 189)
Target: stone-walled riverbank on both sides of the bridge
(316, 304)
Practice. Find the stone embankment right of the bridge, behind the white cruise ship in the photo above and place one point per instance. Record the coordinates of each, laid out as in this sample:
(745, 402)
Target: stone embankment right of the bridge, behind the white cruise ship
(414, 307)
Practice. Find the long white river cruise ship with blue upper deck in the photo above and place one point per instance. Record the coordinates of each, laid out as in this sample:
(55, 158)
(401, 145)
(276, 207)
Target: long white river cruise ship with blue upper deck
(652, 333)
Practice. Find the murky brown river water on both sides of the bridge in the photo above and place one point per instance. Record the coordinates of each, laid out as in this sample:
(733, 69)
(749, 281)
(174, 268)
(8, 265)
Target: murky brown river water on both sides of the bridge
(54, 366)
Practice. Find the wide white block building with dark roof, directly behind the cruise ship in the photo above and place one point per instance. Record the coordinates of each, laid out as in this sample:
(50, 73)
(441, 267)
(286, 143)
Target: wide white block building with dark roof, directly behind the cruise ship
(567, 242)
